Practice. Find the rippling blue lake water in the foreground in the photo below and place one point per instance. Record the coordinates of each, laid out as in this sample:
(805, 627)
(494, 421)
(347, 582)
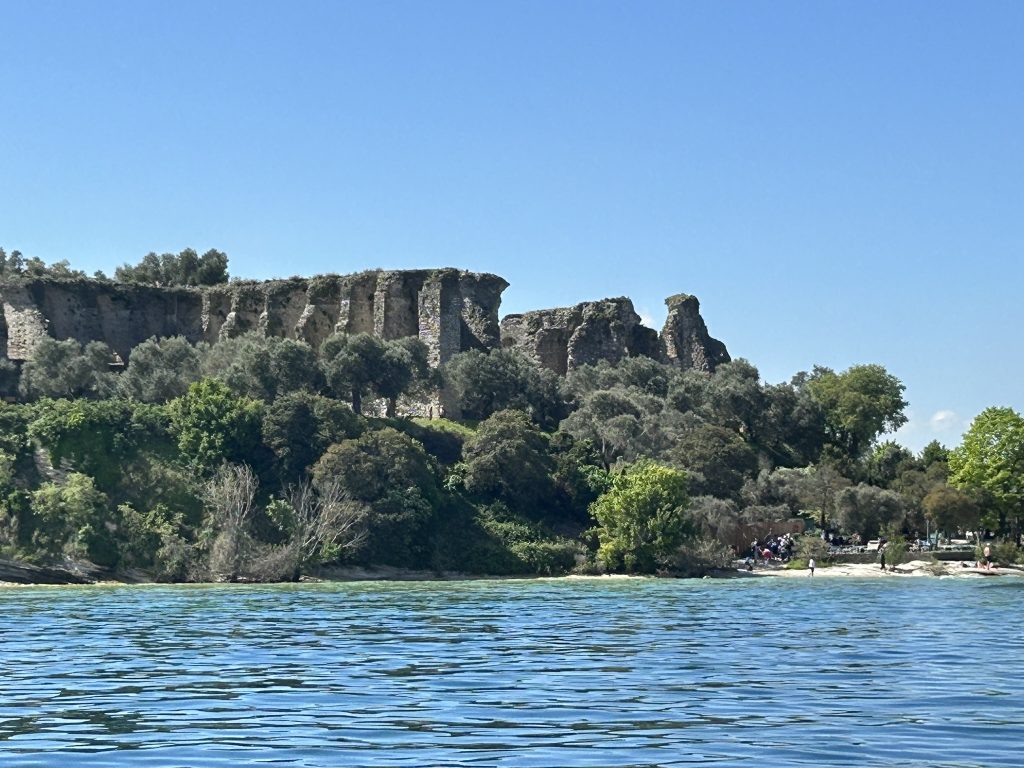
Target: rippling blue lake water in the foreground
(885, 672)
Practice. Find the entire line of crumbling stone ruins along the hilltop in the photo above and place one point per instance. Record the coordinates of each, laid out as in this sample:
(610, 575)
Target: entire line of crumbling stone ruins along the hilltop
(450, 311)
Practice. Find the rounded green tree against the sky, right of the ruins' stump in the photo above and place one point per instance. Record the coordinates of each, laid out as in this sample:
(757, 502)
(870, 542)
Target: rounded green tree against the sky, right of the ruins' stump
(860, 404)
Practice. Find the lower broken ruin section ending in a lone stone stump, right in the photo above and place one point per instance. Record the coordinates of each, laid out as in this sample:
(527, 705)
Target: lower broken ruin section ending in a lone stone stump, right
(569, 337)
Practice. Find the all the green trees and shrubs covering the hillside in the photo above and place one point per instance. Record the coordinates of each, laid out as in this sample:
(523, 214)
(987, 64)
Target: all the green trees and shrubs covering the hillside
(264, 459)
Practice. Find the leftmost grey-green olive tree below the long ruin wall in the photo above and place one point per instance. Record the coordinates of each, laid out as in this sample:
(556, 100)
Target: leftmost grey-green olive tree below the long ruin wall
(65, 369)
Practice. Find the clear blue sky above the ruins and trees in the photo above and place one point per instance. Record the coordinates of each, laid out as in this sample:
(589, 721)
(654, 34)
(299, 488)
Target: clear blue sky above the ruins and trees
(838, 183)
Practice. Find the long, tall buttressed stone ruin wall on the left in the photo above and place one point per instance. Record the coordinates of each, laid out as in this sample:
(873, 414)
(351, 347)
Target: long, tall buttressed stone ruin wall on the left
(449, 310)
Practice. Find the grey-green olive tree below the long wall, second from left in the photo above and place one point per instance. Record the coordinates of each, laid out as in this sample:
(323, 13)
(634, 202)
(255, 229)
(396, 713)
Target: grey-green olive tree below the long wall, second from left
(160, 370)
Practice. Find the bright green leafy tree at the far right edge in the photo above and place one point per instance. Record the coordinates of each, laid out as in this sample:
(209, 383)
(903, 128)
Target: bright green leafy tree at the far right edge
(992, 459)
